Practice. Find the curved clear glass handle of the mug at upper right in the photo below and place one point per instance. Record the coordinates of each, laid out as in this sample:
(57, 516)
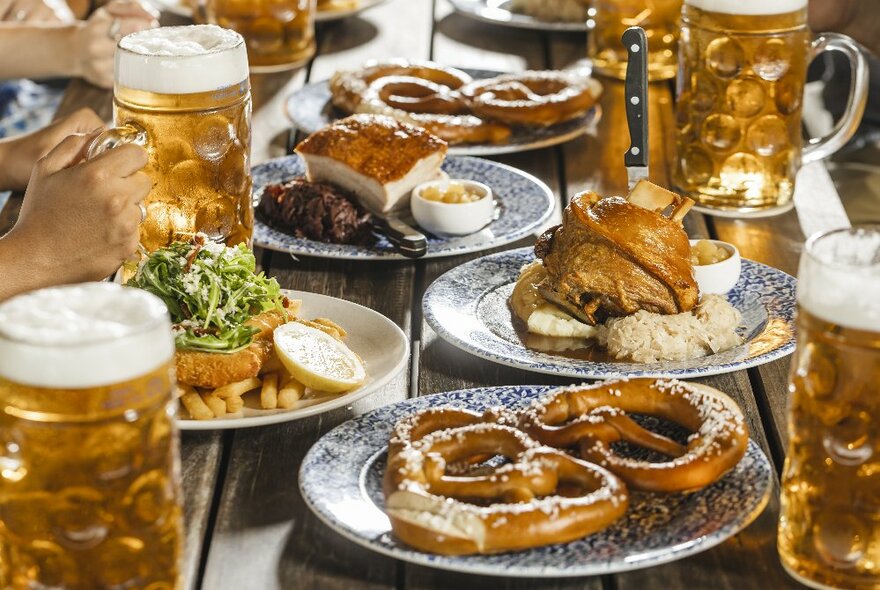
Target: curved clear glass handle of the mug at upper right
(823, 147)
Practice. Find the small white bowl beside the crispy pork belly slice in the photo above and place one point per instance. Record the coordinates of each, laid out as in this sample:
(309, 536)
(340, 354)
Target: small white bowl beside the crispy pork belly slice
(453, 219)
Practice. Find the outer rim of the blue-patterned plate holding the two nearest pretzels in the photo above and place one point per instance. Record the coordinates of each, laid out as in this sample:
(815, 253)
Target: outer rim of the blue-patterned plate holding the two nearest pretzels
(676, 552)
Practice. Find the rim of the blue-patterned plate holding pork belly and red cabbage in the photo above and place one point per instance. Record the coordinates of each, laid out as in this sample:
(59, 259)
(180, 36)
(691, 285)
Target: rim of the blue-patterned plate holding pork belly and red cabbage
(373, 256)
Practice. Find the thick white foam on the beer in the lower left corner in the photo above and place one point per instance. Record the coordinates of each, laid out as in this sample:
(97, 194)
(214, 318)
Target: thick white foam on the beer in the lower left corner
(85, 335)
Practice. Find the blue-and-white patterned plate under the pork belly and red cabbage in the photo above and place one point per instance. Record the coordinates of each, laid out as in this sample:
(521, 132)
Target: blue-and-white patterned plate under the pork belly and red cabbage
(525, 204)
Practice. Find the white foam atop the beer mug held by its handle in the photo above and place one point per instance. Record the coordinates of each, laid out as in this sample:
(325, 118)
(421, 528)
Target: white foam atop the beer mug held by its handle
(181, 60)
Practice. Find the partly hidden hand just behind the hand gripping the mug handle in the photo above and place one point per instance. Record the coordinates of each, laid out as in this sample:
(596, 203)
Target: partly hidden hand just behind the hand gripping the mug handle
(20, 153)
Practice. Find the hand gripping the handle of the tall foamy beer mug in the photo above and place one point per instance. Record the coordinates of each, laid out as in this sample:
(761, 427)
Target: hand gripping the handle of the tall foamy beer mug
(79, 219)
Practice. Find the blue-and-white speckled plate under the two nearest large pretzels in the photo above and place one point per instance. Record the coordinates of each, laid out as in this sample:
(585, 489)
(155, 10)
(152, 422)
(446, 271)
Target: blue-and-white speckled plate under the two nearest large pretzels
(341, 481)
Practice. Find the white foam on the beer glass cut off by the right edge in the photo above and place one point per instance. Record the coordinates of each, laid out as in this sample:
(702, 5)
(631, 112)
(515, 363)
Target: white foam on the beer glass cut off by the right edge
(839, 279)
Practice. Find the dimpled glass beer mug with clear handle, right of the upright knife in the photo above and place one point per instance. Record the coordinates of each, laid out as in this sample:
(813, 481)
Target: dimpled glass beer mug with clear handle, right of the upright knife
(742, 70)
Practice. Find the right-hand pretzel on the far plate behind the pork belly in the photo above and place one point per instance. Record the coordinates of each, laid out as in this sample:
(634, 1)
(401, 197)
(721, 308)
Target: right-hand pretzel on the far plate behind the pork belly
(532, 98)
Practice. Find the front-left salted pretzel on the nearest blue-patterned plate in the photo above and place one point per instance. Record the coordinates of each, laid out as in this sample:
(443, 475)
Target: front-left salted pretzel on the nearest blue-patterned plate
(541, 496)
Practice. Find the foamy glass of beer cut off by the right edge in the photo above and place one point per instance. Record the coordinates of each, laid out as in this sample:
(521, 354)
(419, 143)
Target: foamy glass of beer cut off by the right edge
(829, 530)
